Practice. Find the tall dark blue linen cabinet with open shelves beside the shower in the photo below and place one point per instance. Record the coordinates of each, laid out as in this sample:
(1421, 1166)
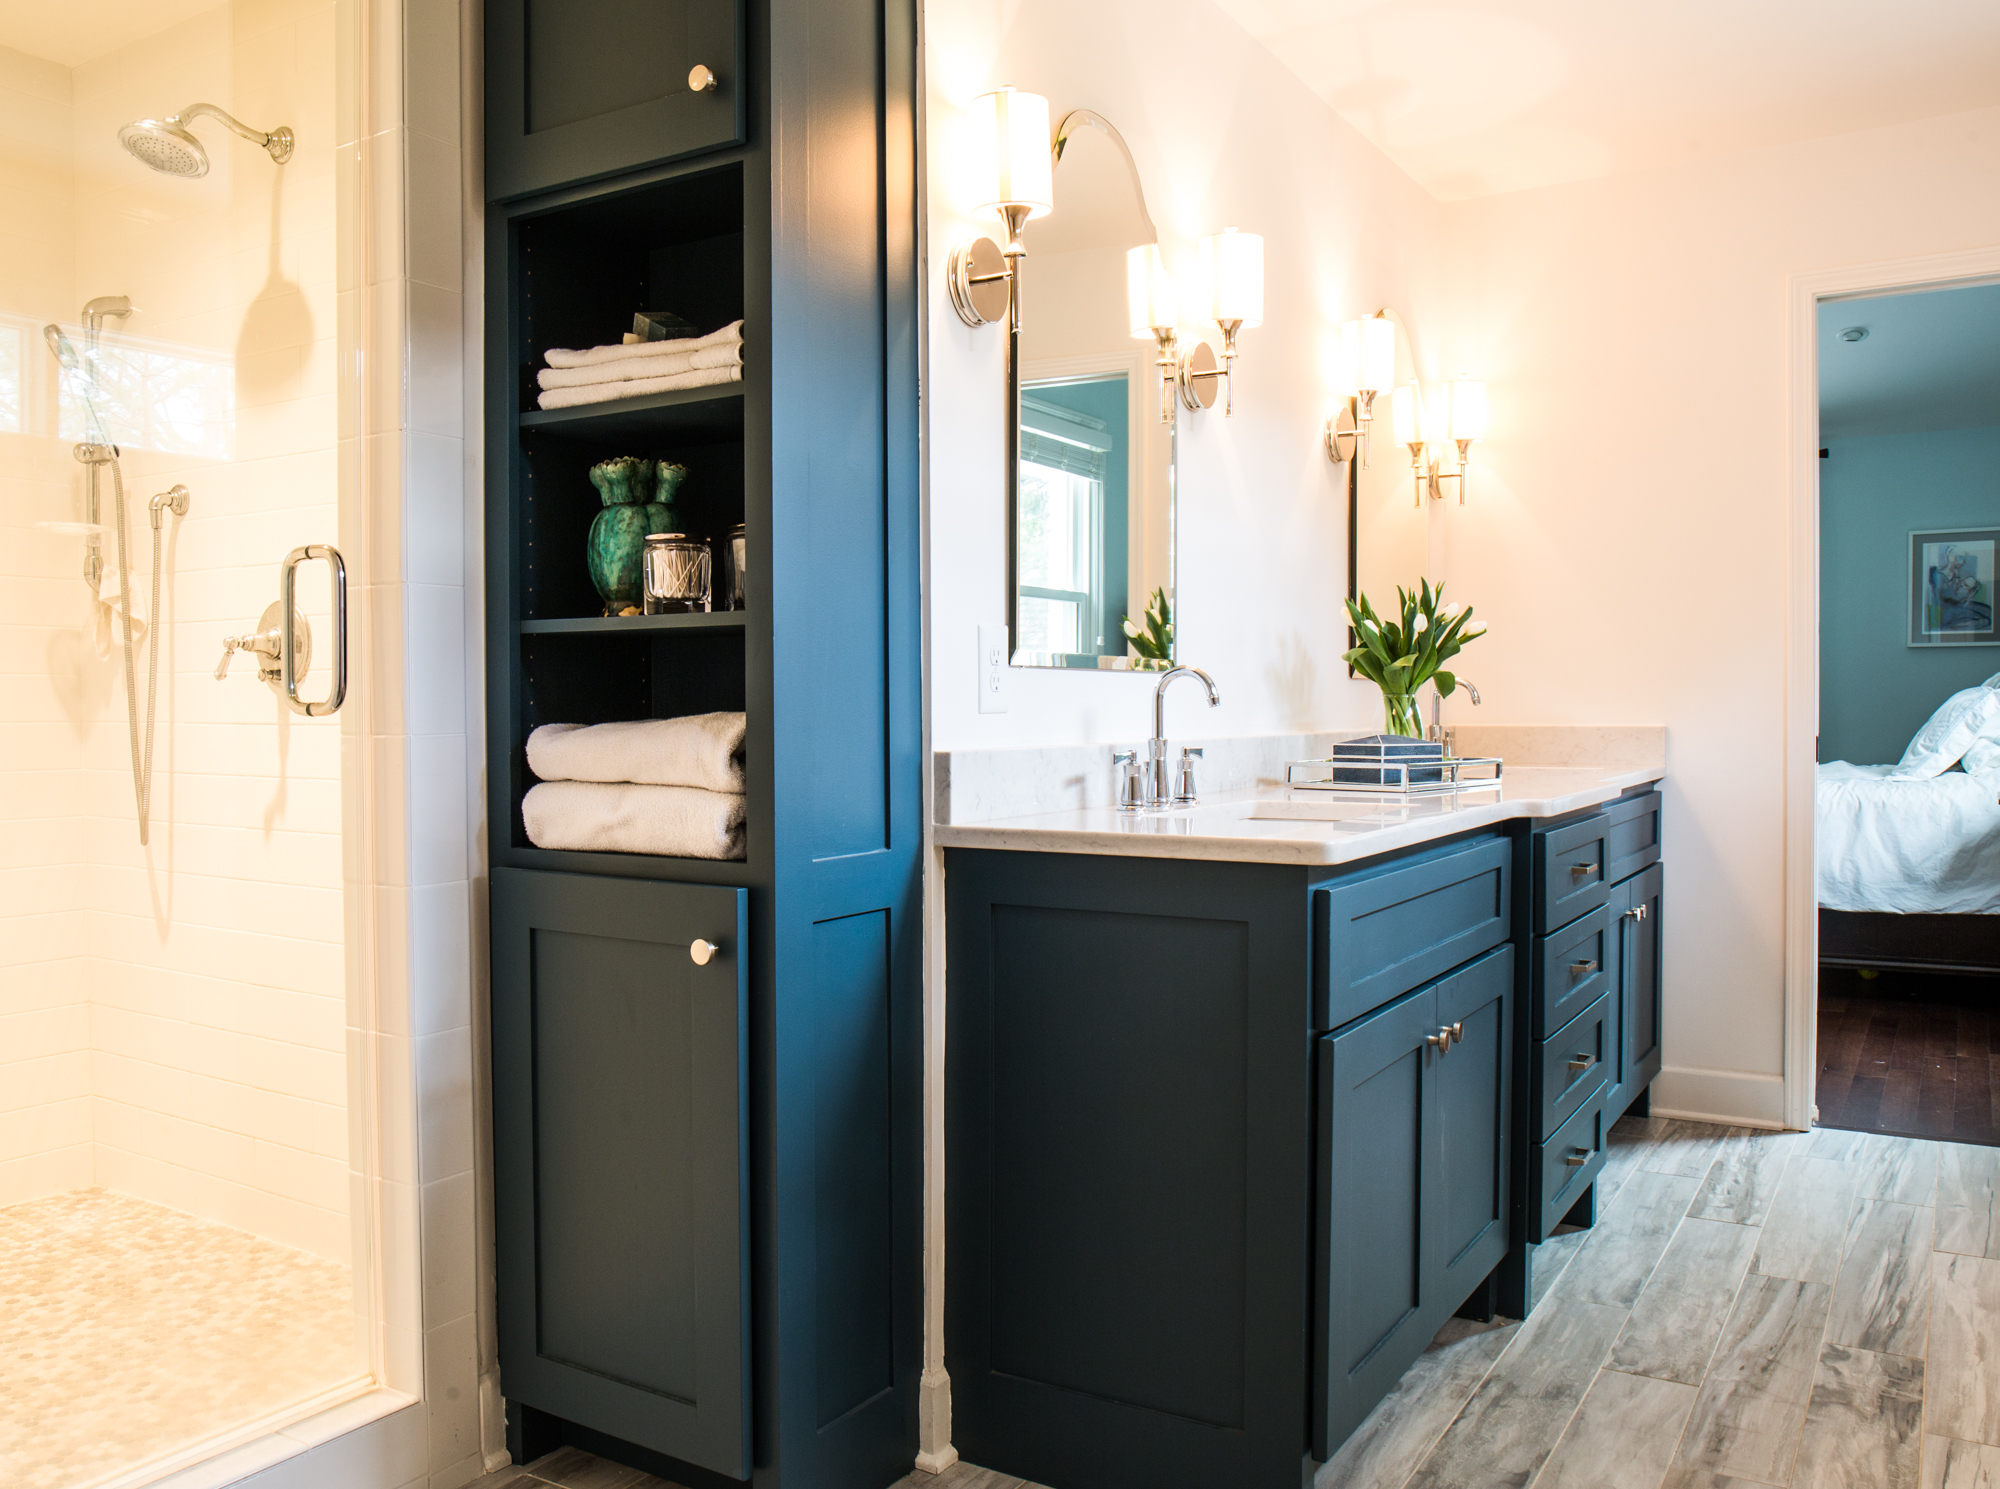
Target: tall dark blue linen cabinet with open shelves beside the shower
(709, 1174)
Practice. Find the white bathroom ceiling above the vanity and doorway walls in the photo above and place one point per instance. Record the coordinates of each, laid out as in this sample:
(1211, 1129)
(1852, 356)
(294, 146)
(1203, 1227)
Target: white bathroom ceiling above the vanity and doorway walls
(1503, 95)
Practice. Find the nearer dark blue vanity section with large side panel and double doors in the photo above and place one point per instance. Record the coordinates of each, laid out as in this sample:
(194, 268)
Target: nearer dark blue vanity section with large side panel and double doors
(1225, 1146)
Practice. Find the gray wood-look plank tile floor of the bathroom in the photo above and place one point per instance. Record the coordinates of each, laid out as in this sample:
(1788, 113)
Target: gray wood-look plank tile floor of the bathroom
(1809, 1312)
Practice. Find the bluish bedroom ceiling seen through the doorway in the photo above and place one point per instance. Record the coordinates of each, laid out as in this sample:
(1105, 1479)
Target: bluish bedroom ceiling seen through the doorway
(1929, 361)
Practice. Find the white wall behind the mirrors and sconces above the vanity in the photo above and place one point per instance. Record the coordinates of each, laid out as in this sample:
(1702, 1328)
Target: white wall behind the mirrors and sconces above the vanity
(1225, 137)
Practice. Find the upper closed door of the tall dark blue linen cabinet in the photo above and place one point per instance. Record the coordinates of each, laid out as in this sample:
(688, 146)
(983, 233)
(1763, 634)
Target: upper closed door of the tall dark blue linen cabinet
(585, 89)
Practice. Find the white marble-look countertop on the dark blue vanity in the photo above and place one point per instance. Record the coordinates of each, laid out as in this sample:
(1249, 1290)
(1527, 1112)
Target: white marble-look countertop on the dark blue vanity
(1297, 826)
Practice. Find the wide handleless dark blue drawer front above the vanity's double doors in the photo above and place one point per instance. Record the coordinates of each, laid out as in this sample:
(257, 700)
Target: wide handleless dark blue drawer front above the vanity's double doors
(1381, 934)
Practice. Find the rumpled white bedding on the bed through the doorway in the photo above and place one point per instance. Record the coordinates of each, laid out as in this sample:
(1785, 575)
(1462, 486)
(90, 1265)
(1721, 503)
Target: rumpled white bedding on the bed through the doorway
(1907, 848)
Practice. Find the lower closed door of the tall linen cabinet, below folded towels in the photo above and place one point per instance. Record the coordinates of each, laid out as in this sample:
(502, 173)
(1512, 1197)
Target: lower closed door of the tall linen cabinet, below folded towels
(621, 1192)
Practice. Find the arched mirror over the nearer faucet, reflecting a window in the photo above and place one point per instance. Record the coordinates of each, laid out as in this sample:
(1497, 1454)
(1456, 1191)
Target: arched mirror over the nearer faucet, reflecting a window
(1091, 499)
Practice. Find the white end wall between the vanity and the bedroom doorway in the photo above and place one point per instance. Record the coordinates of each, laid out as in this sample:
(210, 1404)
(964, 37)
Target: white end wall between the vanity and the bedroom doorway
(1627, 535)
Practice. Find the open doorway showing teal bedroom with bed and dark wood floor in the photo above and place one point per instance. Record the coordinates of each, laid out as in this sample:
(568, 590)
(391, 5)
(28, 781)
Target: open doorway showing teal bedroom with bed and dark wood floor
(1907, 818)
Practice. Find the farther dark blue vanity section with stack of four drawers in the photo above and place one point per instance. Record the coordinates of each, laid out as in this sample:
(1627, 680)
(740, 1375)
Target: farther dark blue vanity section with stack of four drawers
(1591, 1018)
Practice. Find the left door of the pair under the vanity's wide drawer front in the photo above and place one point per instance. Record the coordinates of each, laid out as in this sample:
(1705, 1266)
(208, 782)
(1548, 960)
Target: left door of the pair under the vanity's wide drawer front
(1375, 1194)
